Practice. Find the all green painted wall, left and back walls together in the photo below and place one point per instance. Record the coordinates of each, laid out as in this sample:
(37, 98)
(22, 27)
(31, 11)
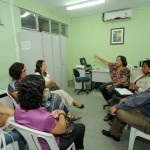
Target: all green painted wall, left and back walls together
(87, 36)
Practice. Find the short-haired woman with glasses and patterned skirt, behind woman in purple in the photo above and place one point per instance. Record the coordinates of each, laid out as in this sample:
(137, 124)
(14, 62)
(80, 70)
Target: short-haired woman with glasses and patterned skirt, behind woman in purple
(51, 101)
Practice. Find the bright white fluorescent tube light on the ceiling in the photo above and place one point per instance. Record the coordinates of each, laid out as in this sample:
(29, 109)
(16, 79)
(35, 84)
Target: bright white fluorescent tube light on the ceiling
(86, 4)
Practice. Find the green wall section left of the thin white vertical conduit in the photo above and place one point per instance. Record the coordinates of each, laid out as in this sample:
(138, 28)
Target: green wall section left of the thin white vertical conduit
(7, 43)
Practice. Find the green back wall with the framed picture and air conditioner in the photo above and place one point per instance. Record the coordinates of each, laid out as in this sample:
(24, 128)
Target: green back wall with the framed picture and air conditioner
(90, 35)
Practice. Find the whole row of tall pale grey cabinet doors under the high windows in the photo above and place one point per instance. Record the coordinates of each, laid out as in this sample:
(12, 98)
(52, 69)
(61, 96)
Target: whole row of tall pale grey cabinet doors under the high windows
(48, 47)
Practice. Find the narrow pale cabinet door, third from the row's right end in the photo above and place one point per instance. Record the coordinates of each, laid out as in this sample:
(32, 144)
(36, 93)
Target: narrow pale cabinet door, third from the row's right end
(48, 53)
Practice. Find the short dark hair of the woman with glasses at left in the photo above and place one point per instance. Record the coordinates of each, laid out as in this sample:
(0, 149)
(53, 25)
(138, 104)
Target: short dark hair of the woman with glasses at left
(15, 70)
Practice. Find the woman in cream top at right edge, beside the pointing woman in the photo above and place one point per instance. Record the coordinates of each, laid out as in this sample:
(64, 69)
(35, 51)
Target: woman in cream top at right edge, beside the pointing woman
(141, 84)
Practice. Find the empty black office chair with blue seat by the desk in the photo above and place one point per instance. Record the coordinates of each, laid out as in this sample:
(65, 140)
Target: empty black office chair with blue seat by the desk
(80, 79)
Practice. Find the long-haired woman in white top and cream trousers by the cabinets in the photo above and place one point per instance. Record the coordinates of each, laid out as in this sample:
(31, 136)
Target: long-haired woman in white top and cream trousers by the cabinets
(67, 99)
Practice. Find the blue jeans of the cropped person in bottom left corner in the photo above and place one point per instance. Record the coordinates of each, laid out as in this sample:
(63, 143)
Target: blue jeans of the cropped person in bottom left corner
(17, 137)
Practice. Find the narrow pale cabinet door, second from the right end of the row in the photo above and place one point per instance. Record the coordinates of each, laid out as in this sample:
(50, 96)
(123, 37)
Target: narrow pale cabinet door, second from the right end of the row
(56, 58)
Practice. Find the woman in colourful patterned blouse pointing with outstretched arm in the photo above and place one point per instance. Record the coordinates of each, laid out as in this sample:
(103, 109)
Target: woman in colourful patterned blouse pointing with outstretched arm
(120, 75)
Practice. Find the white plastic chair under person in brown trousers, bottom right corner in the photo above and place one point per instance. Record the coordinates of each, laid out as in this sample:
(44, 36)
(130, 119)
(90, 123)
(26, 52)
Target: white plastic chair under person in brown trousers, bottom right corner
(133, 134)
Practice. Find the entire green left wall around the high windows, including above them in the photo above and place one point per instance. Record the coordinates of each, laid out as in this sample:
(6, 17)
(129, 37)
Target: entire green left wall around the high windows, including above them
(9, 47)
